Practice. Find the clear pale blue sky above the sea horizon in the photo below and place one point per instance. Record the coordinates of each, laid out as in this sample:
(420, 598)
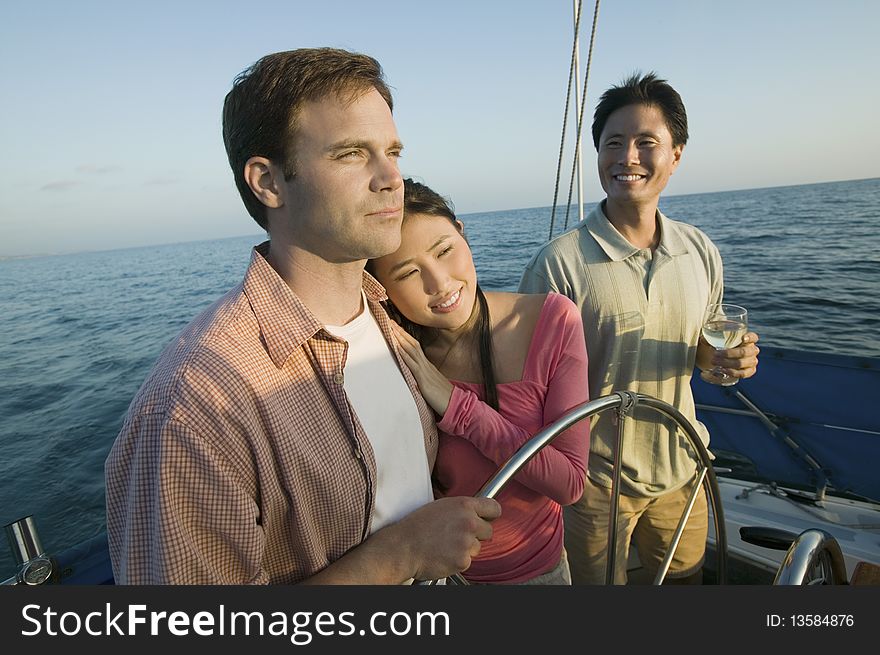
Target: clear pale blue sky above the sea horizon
(110, 112)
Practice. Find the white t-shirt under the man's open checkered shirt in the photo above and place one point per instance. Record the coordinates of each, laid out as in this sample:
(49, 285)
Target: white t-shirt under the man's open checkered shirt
(385, 407)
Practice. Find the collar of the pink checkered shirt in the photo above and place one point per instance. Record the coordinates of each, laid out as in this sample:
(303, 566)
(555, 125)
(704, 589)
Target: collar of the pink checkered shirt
(285, 322)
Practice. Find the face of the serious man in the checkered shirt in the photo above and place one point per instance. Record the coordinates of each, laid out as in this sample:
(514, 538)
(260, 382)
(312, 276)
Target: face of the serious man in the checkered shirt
(345, 201)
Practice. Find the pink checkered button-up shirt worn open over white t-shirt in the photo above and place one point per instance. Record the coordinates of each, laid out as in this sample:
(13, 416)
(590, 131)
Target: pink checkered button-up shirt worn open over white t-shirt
(240, 460)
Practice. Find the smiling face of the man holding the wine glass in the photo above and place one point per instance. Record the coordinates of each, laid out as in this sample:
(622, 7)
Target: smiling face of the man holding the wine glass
(636, 155)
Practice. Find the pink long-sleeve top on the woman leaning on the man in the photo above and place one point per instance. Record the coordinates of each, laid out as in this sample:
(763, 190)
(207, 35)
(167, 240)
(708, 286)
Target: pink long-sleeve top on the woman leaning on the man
(475, 441)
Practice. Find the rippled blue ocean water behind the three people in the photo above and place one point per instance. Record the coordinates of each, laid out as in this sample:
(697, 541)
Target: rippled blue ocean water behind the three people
(79, 333)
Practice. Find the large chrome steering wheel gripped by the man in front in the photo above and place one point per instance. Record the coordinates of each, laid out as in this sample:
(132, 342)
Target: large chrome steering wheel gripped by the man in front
(704, 475)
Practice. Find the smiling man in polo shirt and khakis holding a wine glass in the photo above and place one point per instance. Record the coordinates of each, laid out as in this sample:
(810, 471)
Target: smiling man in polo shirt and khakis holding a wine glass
(643, 283)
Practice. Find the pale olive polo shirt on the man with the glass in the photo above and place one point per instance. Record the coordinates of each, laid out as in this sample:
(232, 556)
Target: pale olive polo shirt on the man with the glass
(642, 314)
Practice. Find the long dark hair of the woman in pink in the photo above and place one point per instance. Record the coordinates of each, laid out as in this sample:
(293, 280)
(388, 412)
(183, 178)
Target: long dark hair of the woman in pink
(421, 199)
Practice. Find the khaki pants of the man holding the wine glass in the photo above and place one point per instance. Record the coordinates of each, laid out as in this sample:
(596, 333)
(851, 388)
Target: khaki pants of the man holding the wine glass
(649, 523)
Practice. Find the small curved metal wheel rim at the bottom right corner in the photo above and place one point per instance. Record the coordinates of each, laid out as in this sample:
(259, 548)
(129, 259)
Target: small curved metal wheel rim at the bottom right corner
(812, 548)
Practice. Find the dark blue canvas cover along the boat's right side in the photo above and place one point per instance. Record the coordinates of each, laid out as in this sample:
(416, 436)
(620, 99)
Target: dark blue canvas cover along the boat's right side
(827, 406)
